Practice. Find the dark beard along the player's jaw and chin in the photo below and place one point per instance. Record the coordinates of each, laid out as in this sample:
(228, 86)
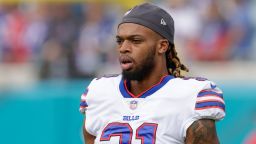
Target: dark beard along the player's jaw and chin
(143, 69)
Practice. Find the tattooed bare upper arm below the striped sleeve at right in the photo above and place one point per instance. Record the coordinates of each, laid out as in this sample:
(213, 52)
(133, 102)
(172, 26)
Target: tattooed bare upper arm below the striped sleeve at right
(202, 132)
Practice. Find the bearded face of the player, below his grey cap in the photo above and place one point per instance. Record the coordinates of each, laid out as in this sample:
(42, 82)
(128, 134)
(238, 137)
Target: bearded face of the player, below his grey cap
(137, 50)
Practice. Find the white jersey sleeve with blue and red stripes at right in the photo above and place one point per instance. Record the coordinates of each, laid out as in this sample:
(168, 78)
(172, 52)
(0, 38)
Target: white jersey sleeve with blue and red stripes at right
(209, 104)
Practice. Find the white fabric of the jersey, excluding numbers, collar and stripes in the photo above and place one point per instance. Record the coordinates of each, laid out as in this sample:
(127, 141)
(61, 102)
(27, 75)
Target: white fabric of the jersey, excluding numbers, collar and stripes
(171, 108)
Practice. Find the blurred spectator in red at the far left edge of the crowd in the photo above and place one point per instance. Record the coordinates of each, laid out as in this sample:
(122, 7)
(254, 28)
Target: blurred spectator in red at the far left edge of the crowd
(13, 26)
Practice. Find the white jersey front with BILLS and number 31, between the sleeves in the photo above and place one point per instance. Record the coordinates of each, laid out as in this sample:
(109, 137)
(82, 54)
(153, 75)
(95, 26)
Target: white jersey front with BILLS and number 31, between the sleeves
(158, 117)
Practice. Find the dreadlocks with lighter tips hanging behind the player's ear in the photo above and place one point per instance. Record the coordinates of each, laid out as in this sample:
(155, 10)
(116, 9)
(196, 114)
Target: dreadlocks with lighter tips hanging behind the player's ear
(173, 63)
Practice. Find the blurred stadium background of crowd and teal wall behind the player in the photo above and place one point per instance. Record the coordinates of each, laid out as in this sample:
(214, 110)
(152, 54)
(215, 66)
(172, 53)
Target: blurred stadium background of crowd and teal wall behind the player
(51, 49)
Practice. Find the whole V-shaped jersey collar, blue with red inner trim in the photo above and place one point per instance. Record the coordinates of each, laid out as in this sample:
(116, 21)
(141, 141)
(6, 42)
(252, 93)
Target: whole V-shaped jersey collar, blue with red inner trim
(127, 94)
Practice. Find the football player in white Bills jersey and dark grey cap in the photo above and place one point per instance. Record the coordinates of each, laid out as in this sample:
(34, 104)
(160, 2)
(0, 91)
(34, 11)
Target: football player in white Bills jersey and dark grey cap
(151, 102)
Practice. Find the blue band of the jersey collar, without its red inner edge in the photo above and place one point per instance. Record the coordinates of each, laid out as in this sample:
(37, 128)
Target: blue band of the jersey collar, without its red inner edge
(148, 92)
